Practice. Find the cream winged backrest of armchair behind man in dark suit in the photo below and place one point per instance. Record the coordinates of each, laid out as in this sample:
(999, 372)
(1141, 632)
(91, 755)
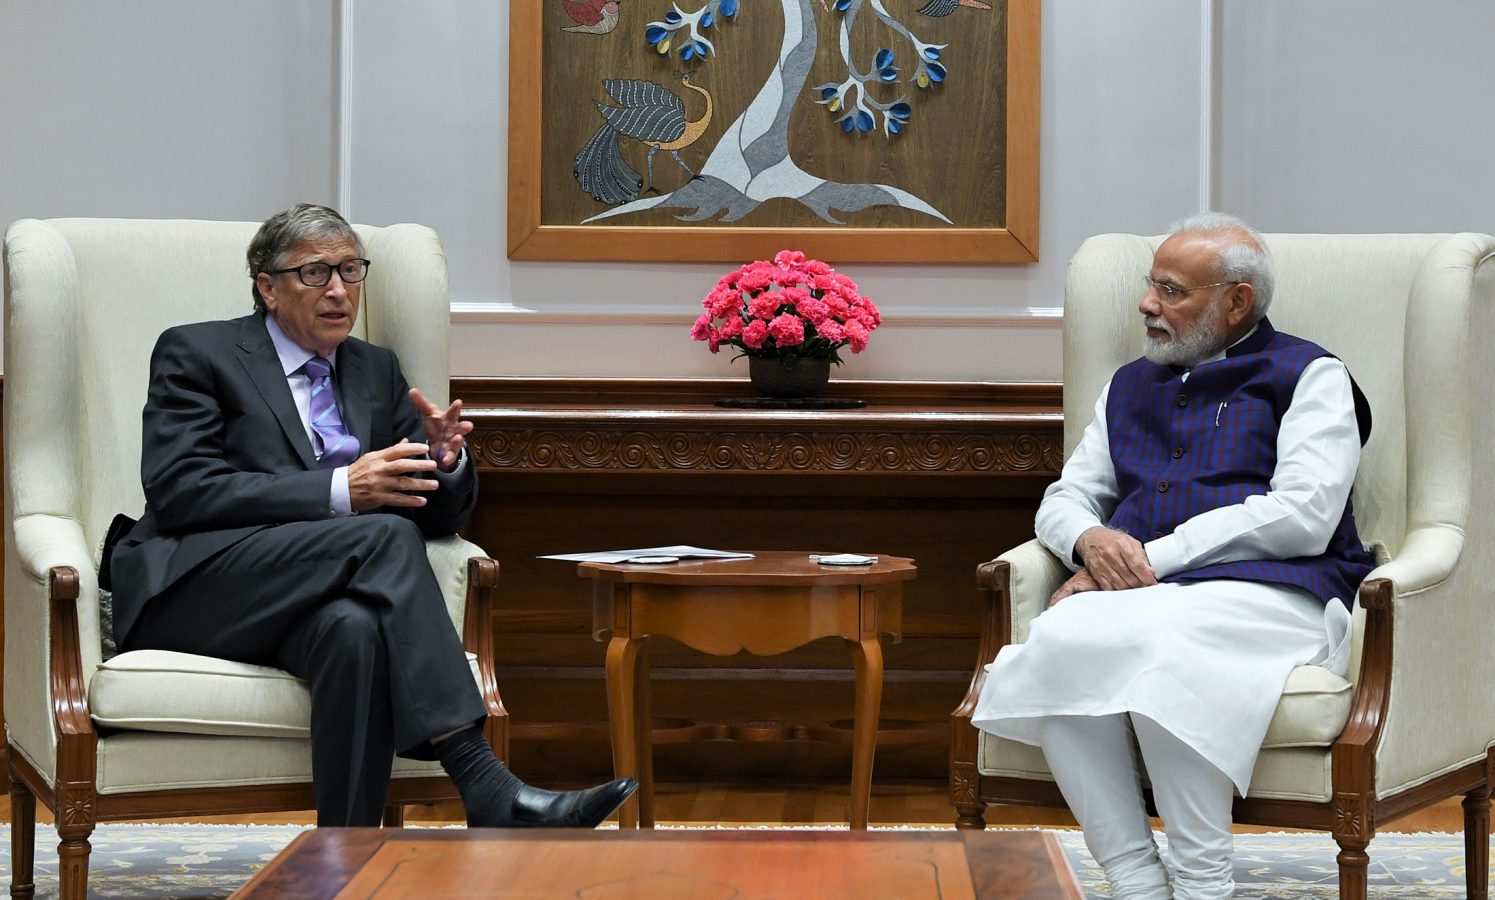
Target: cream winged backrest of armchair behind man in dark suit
(86, 300)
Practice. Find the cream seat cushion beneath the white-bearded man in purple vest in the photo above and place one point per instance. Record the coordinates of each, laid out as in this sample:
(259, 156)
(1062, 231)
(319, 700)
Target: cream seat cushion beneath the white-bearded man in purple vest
(1312, 714)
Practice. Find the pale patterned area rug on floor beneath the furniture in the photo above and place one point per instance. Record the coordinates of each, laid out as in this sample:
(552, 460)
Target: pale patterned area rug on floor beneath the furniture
(197, 862)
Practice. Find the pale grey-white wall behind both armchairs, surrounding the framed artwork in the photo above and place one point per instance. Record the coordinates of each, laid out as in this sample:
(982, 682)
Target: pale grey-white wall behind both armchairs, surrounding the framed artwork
(1333, 116)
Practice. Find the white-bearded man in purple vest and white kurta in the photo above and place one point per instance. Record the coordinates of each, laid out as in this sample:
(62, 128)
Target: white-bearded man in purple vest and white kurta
(1207, 517)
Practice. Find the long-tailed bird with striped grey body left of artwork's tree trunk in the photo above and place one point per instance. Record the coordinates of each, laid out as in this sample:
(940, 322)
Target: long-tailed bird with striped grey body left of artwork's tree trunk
(648, 113)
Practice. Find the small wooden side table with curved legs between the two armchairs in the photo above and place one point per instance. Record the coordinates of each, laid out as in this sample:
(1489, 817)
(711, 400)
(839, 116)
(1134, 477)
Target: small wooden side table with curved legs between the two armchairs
(771, 605)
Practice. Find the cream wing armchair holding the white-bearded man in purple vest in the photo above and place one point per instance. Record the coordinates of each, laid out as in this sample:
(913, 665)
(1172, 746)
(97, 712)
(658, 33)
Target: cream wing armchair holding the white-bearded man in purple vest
(1417, 720)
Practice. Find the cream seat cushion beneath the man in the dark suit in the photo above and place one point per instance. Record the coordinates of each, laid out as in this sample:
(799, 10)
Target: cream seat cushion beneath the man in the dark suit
(188, 694)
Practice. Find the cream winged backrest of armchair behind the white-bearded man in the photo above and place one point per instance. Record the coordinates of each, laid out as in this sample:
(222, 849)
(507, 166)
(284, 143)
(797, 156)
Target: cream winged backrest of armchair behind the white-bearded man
(1381, 303)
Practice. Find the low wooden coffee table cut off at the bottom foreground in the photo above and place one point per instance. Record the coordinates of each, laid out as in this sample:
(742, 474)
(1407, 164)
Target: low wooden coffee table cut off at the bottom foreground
(668, 865)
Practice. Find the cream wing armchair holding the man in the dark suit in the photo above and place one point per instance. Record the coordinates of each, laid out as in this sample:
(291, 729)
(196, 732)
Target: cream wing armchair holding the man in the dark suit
(159, 733)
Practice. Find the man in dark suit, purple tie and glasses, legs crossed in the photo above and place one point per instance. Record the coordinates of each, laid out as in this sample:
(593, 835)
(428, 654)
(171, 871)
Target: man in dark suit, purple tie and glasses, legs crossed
(291, 478)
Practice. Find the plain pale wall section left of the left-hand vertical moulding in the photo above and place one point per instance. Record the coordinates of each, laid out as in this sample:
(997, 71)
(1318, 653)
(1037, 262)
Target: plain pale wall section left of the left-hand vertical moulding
(165, 108)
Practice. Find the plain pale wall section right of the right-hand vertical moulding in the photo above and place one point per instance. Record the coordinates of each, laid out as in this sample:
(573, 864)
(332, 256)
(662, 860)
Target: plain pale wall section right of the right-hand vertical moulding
(1358, 116)
